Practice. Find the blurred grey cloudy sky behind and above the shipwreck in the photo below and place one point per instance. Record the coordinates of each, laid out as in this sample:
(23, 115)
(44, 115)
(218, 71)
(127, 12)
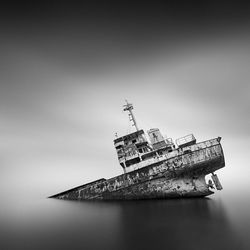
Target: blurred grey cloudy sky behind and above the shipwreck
(66, 69)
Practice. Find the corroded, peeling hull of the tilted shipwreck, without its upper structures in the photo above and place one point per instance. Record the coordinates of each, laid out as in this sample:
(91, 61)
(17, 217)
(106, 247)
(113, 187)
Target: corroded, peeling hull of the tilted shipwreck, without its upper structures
(178, 174)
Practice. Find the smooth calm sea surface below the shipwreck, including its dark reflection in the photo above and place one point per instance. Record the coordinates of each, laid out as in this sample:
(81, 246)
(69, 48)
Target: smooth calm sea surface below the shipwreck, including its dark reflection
(219, 222)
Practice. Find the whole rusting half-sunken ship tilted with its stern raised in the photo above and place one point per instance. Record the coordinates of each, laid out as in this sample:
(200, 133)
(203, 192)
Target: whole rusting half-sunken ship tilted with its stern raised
(156, 168)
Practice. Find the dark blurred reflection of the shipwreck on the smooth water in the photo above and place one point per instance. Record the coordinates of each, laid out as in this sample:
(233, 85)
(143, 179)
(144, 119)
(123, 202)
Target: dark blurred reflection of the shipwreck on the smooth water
(177, 224)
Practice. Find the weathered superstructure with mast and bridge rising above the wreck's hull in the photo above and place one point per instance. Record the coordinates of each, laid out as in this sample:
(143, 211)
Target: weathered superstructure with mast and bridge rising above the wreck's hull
(134, 151)
